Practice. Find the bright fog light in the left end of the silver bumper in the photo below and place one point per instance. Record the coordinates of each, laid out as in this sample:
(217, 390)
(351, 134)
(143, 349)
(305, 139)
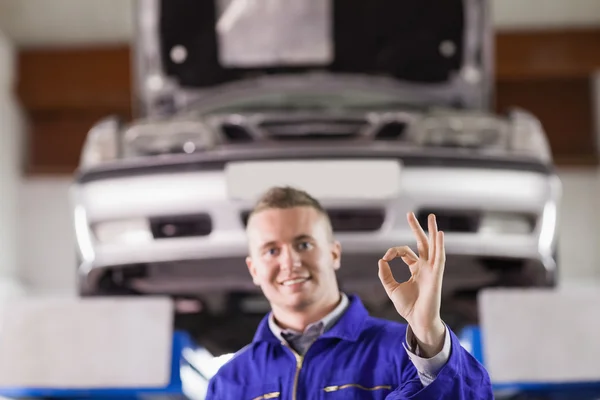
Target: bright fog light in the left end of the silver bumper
(132, 231)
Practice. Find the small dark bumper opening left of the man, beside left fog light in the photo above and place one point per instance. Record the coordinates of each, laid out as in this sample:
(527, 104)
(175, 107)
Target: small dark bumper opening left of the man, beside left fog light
(181, 226)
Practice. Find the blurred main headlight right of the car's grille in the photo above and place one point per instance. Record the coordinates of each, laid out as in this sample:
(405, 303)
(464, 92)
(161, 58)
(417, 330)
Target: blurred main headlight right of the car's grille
(462, 130)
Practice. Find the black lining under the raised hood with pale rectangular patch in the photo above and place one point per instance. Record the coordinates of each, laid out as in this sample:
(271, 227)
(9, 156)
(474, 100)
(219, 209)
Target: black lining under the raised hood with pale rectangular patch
(204, 43)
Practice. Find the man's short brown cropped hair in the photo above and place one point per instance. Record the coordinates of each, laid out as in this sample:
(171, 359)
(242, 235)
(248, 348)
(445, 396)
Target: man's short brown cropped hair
(288, 197)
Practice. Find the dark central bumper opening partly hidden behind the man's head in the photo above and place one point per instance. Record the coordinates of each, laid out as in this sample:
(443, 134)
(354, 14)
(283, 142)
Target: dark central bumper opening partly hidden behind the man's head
(348, 220)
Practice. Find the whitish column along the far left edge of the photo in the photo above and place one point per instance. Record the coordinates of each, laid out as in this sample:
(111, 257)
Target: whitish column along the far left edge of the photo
(11, 135)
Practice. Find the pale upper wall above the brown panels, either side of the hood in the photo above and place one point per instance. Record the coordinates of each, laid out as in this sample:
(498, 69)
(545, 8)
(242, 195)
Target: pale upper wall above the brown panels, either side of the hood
(42, 22)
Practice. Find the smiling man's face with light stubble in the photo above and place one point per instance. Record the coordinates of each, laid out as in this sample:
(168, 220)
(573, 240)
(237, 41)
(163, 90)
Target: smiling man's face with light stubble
(293, 257)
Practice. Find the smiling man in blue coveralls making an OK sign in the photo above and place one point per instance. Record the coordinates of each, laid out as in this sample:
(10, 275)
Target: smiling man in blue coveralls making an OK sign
(318, 343)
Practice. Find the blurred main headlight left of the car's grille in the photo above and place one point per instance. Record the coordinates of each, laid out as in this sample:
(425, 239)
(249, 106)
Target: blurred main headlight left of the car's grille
(167, 137)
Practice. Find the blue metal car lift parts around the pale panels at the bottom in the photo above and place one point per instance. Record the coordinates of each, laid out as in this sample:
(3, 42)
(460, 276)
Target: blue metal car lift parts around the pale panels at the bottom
(470, 338)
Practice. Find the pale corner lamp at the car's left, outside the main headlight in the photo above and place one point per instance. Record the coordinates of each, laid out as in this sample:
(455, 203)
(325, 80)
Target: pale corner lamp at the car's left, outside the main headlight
(102, 142)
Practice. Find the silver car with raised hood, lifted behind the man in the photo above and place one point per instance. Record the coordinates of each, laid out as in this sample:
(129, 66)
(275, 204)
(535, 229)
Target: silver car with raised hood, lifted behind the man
(391, 117)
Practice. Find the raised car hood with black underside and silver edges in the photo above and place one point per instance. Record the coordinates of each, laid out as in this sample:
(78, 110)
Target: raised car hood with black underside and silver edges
(184, 47)
